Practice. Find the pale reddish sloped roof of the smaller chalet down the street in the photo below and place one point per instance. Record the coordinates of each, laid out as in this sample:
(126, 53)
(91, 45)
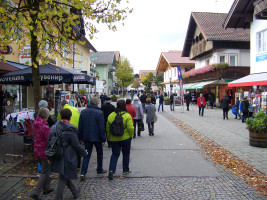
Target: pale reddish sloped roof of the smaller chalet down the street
(175, 57)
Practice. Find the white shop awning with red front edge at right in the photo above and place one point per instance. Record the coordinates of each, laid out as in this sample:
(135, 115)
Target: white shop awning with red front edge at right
(250, 80)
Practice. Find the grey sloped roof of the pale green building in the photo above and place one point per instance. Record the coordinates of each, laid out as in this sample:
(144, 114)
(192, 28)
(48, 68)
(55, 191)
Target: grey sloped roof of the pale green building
(104, 57)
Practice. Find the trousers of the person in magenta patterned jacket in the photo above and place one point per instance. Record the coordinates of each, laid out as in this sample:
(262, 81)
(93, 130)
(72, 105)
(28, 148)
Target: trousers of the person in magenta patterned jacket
(44, 179)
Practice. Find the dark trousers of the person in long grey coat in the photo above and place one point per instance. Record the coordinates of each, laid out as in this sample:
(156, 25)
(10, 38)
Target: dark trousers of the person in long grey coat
(62, 183)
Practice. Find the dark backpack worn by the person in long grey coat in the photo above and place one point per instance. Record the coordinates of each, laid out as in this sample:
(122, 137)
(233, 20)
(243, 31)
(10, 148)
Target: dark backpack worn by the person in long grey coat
(55, 150)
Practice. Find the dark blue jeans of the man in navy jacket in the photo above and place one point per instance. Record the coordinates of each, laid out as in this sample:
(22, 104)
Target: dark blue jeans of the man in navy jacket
(99, 150)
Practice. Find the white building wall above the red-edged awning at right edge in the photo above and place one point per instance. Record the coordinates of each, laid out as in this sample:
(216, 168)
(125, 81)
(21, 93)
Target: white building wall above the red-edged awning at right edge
(261, 64)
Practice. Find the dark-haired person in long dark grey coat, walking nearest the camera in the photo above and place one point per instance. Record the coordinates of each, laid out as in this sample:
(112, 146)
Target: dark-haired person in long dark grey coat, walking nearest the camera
(66, 167)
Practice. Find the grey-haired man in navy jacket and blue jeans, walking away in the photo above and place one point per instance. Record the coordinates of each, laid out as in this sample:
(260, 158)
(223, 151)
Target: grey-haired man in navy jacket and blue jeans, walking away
(92, 133)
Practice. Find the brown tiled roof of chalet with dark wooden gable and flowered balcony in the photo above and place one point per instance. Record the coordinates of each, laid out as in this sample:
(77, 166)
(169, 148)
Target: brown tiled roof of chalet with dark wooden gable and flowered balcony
(211, 27)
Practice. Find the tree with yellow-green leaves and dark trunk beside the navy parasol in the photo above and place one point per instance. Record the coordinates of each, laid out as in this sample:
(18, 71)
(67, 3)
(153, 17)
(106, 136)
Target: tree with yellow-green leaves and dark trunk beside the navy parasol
(54, 24)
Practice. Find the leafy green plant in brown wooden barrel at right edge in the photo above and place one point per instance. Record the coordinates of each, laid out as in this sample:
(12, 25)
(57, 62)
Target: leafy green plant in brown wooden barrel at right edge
(257, 127)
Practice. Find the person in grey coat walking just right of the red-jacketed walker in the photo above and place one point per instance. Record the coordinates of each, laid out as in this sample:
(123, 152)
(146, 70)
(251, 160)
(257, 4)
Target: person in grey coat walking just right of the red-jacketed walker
(150, 111)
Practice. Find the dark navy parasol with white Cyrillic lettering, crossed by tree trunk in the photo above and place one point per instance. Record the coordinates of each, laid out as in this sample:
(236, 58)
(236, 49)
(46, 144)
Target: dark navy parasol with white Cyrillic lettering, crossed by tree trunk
(49, 74)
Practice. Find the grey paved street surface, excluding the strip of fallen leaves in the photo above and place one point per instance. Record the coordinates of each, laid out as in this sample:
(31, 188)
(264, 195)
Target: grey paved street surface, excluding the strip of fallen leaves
(179, 169)
